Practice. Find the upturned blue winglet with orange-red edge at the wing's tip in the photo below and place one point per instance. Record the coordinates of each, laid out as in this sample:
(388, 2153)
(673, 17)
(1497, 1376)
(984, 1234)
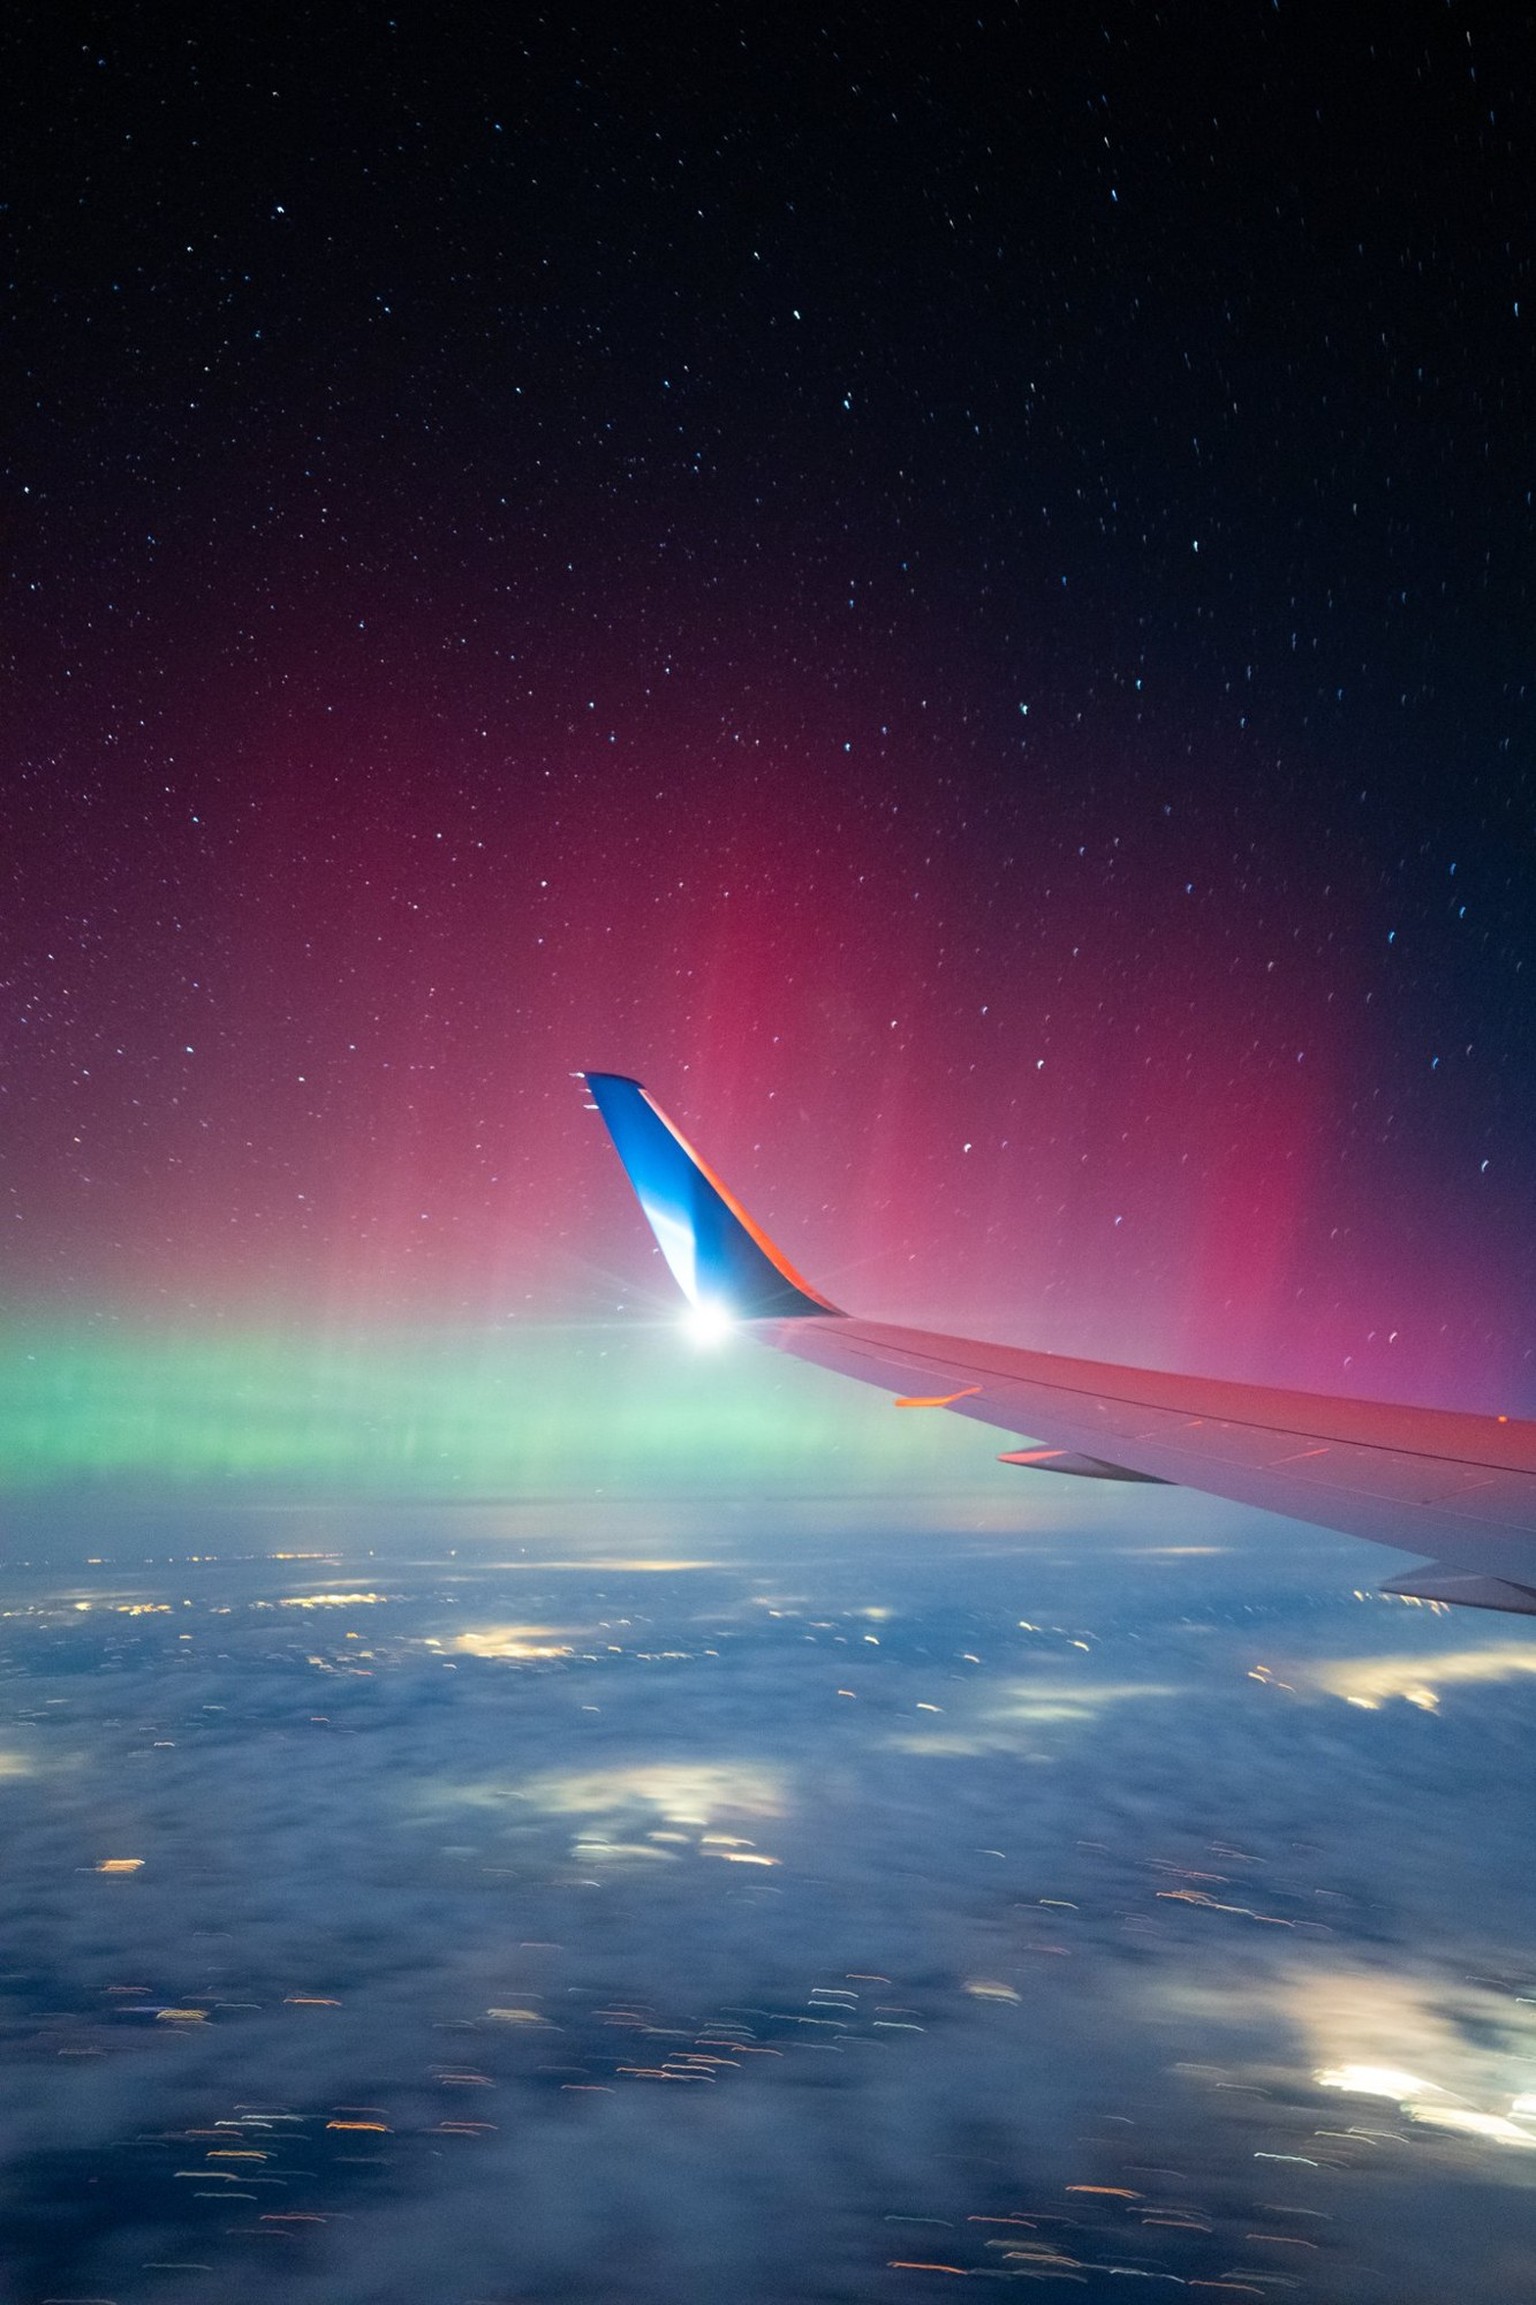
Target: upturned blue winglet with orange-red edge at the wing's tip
(721, 1260)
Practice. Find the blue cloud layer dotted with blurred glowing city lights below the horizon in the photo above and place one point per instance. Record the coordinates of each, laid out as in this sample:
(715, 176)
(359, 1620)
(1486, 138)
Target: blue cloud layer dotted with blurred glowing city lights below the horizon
(808, 1924)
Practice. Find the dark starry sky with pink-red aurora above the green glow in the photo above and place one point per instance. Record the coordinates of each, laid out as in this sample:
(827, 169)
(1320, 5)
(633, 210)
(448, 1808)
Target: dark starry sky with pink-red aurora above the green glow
(956, 598)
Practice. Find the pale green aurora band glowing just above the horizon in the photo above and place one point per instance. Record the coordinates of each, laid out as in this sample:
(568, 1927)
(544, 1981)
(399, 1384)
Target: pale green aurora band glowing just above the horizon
(532, 1414)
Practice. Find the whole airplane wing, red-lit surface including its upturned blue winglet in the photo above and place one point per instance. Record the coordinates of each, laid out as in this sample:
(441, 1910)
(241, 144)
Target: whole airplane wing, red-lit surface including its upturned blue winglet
(1461, 1488)
